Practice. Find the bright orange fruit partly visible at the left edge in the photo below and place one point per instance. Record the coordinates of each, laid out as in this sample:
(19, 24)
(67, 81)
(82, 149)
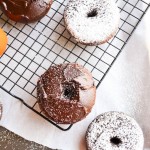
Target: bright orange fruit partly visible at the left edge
(3, 42)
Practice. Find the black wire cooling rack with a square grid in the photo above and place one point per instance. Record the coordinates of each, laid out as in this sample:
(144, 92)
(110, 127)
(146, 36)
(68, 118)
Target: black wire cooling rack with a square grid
(32, 48)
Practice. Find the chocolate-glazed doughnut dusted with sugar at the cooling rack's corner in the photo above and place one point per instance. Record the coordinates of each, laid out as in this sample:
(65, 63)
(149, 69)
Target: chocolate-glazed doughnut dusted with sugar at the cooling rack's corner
(66, 93)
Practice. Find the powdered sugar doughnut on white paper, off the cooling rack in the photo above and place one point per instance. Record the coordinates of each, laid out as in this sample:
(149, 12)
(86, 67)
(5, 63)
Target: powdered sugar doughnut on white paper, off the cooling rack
(114, 131)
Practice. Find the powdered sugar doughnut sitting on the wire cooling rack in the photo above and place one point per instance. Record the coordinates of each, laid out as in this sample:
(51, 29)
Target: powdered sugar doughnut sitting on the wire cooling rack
(92, 22)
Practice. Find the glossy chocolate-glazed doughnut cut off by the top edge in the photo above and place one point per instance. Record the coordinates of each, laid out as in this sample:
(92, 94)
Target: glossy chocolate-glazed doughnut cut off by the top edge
(25, 10)
